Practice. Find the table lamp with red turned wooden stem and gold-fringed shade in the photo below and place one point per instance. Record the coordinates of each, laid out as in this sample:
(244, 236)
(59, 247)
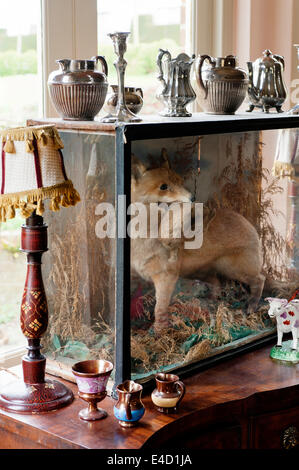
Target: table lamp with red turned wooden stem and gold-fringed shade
(31, 171)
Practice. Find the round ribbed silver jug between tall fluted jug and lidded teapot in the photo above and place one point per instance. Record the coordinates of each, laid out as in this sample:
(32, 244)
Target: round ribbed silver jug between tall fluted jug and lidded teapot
(223, 85)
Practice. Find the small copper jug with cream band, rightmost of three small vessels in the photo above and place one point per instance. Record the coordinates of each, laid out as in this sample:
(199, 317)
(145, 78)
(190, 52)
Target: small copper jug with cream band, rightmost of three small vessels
(169, 393)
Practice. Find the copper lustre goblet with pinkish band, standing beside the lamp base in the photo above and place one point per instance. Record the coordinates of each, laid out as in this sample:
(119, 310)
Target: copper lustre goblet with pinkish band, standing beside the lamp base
(92, 378)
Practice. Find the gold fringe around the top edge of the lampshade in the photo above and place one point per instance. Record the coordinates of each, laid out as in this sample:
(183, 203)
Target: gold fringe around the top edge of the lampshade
(27, 134)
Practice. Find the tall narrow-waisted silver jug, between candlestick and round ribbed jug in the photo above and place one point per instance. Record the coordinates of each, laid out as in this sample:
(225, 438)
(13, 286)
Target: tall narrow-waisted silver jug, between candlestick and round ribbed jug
(177, 91)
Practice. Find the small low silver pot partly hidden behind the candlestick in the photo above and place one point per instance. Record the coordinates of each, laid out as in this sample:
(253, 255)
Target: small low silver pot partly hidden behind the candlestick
(133, 99)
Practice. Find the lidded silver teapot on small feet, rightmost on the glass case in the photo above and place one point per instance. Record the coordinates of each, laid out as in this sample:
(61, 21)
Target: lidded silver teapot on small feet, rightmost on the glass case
(266, 85)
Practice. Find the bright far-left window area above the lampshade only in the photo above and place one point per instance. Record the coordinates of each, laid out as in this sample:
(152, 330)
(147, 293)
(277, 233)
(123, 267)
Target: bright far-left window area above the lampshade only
(20, 84)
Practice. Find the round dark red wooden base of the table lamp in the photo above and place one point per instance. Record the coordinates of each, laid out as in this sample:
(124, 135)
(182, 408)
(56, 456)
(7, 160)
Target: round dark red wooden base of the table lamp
(19, 397)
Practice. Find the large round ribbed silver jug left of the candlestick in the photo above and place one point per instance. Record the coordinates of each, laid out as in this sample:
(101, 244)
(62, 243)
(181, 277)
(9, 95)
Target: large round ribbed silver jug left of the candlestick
(78, 89)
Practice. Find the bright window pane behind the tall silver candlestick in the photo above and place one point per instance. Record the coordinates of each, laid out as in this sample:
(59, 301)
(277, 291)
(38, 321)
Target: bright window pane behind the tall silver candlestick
(153, 25)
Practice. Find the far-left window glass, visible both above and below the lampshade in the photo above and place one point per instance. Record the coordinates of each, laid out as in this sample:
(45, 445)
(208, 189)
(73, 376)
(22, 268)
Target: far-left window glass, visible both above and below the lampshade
(20, 98)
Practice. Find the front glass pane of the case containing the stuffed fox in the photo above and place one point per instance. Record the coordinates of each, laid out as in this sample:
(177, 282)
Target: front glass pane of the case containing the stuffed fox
(214, 296)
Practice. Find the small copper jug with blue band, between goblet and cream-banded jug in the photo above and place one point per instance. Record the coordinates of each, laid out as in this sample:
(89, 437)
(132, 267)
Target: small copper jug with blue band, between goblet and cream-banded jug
(129, 408)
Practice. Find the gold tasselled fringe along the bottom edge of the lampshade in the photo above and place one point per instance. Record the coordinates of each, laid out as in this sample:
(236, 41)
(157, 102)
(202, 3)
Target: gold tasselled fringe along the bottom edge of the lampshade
(63, 194)
